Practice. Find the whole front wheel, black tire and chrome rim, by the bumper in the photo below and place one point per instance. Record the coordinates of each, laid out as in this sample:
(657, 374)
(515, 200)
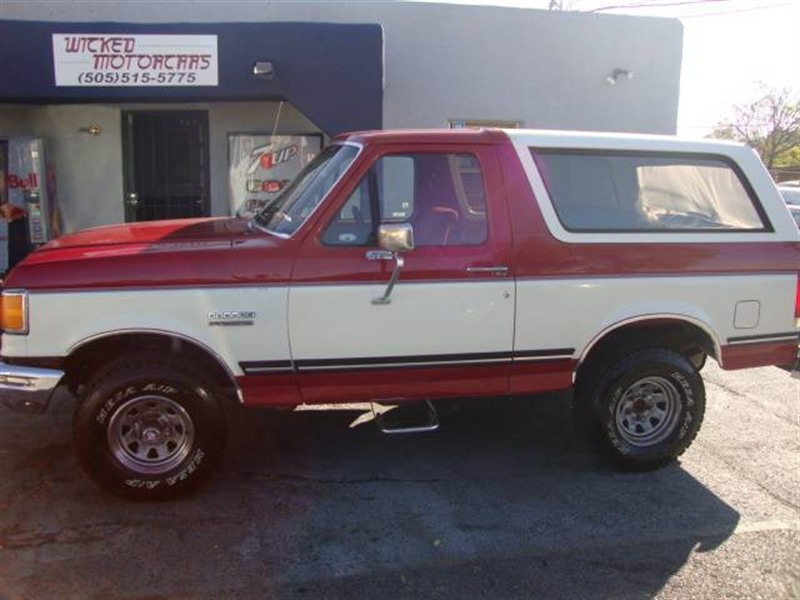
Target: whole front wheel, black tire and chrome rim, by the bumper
(149, 428)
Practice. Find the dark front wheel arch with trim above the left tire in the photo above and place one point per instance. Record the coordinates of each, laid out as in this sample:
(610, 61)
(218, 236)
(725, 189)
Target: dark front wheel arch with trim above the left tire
(89, 354)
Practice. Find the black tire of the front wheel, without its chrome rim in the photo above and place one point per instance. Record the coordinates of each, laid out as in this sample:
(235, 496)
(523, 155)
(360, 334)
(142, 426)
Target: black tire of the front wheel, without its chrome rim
(125, 380)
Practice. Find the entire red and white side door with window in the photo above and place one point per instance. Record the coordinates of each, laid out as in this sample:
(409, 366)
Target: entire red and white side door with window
(447, 328)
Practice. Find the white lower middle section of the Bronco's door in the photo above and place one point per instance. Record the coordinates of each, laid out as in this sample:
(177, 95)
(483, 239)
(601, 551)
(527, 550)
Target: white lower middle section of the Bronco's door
(336, 321)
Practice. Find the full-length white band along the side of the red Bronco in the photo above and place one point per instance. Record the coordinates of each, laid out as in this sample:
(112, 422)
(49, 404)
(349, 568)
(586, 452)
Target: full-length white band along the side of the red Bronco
(329, 322)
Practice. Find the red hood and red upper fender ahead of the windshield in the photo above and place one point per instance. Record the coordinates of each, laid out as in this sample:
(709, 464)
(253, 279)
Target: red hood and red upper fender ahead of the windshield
(187, 252)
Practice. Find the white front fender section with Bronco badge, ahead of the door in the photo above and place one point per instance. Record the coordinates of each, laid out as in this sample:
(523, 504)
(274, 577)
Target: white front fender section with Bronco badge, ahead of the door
(61, 322)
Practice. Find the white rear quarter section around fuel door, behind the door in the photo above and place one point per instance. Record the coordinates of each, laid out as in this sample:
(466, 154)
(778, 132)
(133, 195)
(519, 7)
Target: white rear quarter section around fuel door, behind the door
(555, 312)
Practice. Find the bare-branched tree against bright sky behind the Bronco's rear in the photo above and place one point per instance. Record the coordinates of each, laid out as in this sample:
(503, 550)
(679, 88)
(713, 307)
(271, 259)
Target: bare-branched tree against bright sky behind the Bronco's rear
(770, 124)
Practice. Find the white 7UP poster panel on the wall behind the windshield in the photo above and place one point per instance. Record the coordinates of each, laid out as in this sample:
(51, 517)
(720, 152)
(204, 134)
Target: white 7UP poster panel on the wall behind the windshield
(261, 166)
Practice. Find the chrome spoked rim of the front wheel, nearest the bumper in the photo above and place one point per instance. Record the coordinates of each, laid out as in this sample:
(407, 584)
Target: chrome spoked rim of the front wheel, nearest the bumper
(150, 434)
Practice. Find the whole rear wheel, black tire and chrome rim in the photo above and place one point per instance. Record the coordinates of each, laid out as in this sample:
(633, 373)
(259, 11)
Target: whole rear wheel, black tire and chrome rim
(644, 409)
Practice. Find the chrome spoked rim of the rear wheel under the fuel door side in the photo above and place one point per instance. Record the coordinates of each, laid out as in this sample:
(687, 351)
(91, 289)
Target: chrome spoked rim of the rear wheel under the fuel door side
(648, 411)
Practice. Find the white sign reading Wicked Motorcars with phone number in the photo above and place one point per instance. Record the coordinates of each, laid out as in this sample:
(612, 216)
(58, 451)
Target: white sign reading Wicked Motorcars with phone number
(97, 59)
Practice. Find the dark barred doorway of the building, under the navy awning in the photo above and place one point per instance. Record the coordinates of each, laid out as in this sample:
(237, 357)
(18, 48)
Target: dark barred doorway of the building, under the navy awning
(166, 166)
